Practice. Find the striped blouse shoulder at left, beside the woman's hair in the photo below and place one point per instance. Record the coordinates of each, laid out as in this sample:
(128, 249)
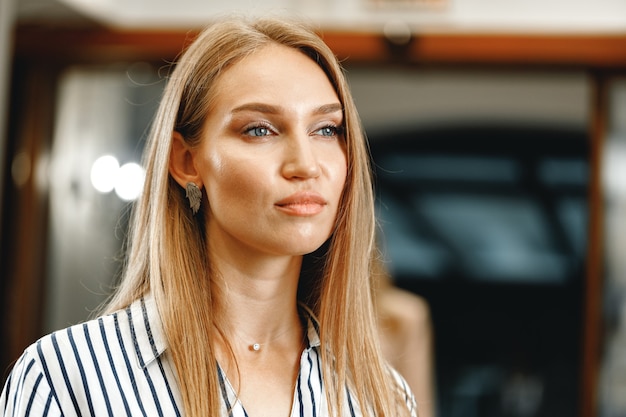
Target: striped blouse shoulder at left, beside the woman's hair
(99, 361)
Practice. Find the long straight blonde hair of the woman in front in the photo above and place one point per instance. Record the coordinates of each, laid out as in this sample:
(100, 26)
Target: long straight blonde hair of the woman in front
(167, 249)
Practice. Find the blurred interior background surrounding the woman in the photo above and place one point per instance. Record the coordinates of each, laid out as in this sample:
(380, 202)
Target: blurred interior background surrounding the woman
(498, 134)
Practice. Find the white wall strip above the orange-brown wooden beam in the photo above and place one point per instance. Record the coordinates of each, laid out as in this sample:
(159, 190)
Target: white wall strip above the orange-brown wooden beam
(421, 15)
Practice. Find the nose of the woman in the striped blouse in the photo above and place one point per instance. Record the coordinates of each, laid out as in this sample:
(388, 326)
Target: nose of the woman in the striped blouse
(301, 160)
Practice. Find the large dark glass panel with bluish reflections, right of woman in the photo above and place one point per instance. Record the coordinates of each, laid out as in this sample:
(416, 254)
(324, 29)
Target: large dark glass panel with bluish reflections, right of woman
(482, 186)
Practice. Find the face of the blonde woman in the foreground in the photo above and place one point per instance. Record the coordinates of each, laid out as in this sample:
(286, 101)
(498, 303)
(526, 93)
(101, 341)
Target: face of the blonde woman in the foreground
(273, 159)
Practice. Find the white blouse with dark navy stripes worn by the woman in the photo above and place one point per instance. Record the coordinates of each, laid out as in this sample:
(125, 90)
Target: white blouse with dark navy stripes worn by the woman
(114, 366)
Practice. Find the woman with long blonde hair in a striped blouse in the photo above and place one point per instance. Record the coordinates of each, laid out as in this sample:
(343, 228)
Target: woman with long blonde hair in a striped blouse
(246, 287)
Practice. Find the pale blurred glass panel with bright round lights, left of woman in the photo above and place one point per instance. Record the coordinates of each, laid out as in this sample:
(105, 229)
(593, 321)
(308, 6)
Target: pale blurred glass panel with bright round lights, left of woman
(100, 112)
